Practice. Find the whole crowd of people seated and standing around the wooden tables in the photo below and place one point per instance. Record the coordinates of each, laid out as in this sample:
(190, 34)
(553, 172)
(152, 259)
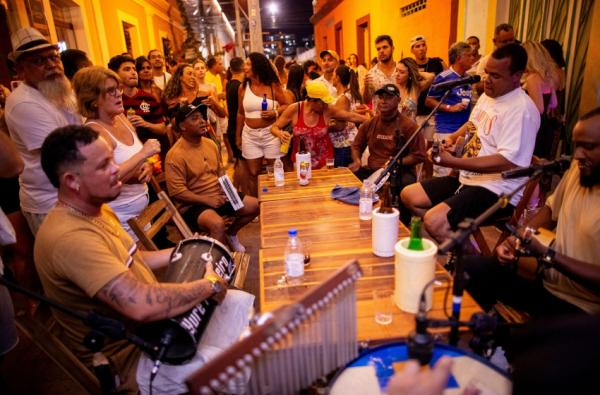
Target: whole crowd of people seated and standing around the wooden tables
(83, 138)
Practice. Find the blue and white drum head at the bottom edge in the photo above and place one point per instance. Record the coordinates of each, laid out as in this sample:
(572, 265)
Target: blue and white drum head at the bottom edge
(369, 374)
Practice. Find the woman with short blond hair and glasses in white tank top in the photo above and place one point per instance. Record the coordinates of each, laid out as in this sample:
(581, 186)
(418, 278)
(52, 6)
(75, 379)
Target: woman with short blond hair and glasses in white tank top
(99, 98)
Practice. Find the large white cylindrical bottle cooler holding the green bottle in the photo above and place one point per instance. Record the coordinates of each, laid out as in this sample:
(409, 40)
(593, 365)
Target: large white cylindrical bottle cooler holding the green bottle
(414, 269)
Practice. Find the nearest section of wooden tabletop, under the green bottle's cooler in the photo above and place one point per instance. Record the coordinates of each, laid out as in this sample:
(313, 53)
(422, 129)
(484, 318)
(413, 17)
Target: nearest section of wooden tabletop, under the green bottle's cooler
(378, 274)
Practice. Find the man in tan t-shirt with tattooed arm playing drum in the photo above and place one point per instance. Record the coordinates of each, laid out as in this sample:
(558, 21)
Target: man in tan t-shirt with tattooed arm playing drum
(87, 261)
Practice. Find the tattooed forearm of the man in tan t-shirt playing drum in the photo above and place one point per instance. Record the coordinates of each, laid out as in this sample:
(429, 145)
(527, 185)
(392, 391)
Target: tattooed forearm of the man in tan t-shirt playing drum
(150, 302)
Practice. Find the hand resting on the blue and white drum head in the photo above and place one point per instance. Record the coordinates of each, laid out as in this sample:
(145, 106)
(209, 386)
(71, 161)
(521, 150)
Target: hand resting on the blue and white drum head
(414, 381)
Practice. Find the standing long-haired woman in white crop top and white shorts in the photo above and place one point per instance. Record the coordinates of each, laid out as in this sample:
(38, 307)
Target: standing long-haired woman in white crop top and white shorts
(253, 129)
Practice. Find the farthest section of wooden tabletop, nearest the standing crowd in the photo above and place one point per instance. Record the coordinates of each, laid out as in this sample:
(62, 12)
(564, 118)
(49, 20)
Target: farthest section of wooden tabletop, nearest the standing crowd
(321, 184)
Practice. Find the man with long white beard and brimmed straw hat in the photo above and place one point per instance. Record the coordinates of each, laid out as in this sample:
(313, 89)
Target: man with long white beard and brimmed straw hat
(43, 102)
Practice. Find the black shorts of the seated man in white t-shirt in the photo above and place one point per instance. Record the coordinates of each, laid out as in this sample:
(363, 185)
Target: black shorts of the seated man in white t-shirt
(465, 201)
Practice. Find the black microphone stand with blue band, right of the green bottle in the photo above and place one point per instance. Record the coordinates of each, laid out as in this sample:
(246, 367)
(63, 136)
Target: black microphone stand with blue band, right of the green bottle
(455, 242)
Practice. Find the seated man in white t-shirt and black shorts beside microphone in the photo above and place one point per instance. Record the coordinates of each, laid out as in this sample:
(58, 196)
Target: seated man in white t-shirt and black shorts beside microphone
(503, 126)
